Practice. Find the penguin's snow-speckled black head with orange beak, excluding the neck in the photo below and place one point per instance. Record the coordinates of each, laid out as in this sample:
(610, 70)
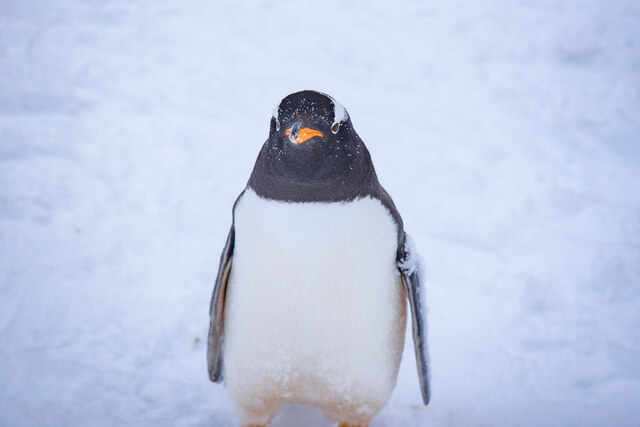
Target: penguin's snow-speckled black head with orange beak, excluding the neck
(311, 136)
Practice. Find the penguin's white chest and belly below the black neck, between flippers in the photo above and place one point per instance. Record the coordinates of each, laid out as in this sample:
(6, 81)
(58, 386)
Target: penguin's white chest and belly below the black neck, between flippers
(315, 309)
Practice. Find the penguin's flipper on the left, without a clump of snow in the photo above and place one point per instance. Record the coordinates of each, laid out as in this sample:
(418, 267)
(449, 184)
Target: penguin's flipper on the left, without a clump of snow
(216, 310)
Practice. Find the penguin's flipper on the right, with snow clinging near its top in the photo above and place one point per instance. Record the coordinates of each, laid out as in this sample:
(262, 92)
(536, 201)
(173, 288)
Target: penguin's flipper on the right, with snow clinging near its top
(411, 271)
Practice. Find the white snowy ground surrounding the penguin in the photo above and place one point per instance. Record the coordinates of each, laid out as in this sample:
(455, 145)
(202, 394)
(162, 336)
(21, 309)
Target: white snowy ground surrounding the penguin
(508, 133)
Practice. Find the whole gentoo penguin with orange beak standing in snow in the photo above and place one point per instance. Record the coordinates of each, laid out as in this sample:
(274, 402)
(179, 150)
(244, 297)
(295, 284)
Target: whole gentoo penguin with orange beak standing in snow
(309, 302)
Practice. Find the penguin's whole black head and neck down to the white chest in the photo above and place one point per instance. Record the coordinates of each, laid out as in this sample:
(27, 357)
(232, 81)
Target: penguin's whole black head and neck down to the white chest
(313, 153)
